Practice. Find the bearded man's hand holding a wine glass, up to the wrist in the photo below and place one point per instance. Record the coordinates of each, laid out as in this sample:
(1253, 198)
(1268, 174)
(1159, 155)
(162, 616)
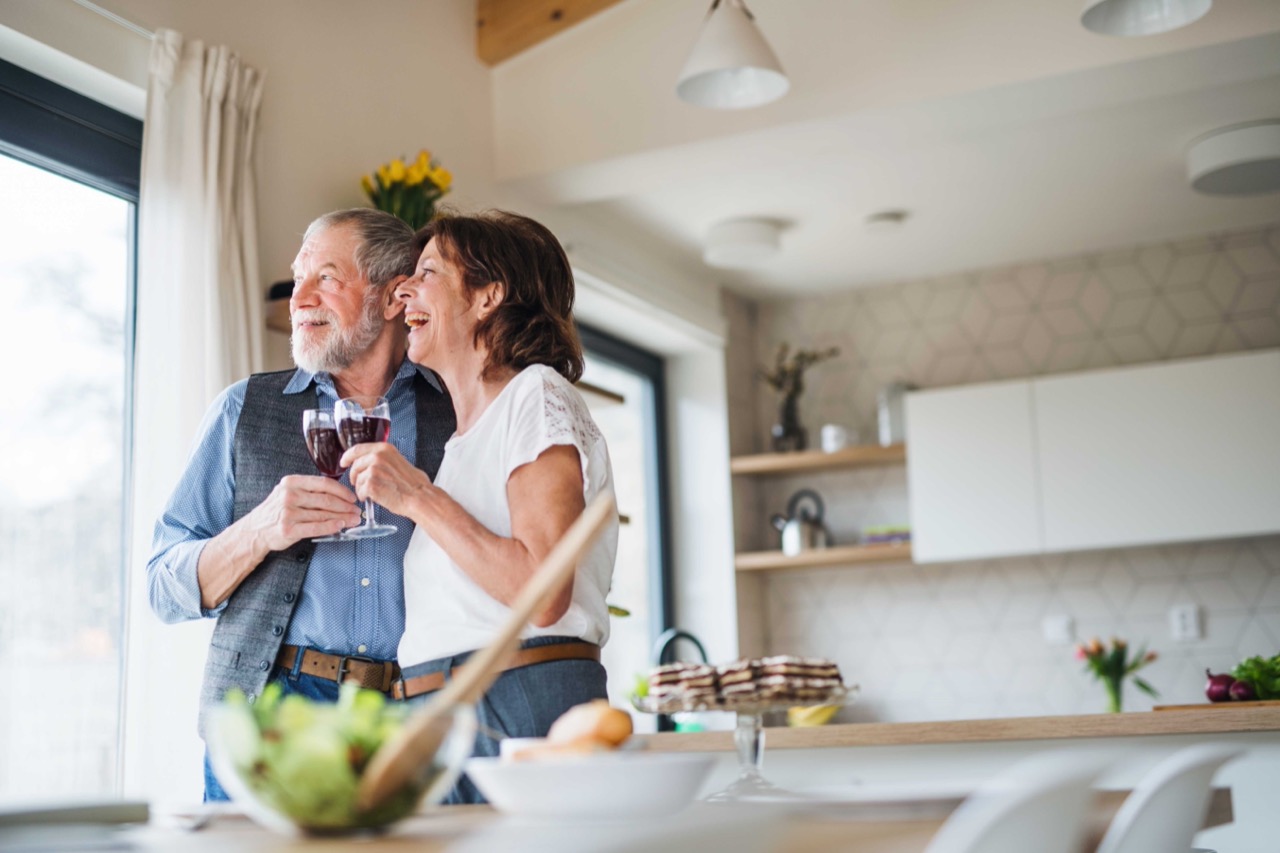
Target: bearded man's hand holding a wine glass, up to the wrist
(301, 508)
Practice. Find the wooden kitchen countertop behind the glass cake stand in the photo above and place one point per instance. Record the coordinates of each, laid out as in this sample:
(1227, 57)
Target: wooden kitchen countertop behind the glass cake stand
(1215, 719)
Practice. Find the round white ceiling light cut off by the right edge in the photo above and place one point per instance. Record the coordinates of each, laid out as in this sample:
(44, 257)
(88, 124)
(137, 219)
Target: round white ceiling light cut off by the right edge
(1238, 161)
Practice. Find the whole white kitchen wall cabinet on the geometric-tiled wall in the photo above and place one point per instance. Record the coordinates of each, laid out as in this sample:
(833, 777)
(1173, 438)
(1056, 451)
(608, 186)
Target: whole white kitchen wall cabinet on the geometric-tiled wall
(1168, 453)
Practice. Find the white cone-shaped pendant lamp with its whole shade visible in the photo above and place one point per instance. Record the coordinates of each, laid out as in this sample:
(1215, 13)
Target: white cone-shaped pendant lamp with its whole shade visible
(732, 66)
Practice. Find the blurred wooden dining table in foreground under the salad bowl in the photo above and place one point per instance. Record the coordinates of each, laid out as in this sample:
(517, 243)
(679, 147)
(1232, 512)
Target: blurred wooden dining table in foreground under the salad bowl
(790, 828)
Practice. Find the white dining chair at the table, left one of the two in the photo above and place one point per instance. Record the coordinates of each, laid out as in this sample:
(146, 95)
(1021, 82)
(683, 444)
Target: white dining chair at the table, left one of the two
(1041, 804)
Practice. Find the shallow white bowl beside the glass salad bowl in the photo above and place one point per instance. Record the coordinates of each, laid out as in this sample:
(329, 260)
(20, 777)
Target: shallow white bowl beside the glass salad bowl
(602, 786)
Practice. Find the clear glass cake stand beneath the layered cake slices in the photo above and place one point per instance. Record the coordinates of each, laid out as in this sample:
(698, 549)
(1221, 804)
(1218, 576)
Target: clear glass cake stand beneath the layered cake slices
(748, 740)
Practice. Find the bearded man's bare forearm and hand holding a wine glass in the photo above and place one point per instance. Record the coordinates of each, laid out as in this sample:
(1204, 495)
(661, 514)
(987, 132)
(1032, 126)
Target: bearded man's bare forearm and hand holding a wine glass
(299, 508)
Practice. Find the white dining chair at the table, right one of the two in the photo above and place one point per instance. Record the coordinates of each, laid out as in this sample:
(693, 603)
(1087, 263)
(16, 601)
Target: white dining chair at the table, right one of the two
(1168, 808)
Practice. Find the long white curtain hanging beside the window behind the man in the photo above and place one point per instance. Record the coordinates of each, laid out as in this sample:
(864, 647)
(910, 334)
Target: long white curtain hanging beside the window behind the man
(199, 330)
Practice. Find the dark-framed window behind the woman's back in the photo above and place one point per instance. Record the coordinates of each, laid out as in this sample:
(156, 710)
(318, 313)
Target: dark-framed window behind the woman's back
(624, 387)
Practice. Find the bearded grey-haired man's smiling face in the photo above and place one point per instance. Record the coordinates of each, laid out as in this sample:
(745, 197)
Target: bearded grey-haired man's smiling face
(336, 314)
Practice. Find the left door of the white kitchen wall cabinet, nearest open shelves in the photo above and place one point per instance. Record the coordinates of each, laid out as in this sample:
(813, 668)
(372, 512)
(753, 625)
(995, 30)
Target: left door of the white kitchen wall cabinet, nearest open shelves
(972, 473)
